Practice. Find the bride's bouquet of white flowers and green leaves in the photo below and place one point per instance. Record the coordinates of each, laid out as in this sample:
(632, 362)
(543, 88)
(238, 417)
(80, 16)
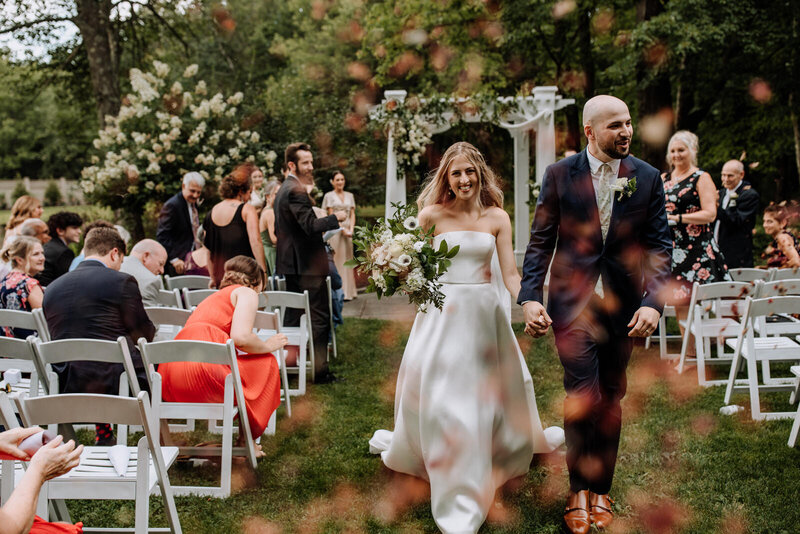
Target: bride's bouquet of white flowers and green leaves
(398, 256)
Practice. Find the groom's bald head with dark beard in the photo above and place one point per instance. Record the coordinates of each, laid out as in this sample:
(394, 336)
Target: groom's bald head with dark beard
(607, 126)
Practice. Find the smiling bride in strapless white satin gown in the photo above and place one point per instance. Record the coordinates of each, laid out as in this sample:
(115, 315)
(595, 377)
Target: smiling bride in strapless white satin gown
(465, 416)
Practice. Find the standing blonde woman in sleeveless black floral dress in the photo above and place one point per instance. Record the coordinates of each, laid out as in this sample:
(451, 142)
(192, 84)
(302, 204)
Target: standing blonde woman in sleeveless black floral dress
(691, 202)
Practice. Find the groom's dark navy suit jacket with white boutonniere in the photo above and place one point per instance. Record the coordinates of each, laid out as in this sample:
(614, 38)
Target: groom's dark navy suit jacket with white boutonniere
(634, 261)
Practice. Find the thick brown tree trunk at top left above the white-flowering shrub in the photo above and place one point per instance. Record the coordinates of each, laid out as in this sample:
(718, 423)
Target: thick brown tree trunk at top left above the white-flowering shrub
(100, 41)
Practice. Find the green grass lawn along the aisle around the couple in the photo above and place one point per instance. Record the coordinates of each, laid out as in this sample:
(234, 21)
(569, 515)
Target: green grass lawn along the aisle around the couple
(682, 466)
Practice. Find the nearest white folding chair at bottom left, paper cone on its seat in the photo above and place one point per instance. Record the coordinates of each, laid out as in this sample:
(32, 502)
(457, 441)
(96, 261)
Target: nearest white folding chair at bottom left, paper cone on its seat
(95, 477)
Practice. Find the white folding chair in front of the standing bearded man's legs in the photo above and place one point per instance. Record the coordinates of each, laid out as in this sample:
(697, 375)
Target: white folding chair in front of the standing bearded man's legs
(300, 335)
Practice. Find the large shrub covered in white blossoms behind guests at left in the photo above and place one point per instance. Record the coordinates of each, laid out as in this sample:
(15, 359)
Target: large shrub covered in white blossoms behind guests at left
(166, 127)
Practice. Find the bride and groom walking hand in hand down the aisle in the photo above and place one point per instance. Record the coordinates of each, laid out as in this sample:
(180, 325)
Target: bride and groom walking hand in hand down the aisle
(465, 413)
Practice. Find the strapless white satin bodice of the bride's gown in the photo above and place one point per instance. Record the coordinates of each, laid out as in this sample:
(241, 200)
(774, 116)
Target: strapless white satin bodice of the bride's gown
(473, 262)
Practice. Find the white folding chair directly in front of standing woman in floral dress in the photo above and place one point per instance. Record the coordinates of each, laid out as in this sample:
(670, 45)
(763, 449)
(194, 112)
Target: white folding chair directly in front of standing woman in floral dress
(710, 310)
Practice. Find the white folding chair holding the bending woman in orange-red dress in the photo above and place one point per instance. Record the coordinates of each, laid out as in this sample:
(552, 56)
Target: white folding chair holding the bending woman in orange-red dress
(162, 352)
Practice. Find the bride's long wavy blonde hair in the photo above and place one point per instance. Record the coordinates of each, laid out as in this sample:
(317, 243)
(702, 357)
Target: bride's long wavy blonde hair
(437, 189)
